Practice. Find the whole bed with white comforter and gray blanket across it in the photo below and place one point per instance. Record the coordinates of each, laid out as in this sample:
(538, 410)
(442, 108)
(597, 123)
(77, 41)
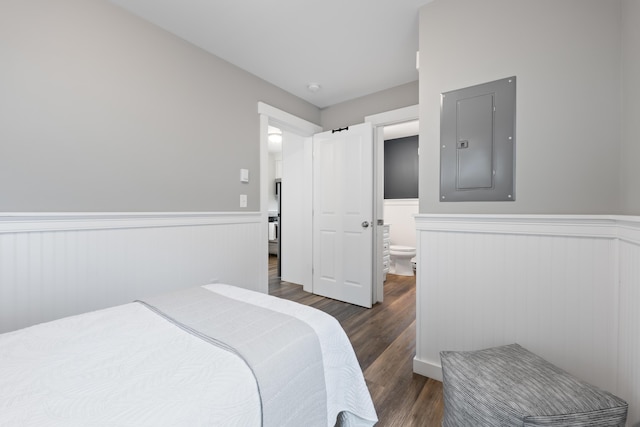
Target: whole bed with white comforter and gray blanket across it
(215, 355)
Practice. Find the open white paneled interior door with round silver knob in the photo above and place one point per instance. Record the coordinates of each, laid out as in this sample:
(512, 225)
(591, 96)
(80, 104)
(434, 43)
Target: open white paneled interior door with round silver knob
(343, 214)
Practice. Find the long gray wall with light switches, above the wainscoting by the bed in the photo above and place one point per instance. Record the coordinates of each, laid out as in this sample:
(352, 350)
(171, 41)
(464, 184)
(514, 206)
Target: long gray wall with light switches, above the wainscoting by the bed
(101, 111)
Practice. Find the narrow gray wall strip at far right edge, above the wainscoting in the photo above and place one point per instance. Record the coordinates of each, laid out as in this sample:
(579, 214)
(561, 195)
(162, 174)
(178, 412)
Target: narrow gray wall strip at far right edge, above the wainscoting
(630, 179)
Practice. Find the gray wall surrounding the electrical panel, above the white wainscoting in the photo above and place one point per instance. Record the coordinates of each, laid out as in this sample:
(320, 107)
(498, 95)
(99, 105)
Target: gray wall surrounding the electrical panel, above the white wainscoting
(566, 56)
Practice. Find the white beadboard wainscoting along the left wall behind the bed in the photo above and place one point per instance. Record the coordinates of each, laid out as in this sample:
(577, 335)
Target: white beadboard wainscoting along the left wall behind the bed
(56, 265)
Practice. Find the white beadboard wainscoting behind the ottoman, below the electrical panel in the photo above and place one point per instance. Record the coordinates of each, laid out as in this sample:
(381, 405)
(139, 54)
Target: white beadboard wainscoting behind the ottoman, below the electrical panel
(565, 287)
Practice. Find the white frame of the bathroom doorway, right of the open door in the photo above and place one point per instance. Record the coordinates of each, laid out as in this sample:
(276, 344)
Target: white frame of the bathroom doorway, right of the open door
(379, 121)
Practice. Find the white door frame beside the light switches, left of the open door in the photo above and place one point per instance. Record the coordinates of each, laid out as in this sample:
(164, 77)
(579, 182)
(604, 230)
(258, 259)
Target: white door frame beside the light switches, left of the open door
(275, 117)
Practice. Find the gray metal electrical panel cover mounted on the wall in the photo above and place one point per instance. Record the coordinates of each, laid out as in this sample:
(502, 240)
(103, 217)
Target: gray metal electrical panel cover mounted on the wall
(477, 150)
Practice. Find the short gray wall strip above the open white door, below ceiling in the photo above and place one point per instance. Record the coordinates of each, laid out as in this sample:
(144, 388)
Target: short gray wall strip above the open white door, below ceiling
(353, 112)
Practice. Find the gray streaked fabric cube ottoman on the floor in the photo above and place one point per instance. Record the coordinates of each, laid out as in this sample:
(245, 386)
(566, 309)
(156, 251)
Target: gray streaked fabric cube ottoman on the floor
(510, 386)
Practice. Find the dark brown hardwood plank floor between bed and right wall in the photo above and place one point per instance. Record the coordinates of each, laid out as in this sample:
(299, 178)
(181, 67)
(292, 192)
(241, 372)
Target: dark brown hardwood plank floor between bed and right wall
(383, 338)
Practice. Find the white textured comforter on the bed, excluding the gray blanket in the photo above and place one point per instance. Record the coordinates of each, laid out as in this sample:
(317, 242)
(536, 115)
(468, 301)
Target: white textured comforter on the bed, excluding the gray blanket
(126, 366)
